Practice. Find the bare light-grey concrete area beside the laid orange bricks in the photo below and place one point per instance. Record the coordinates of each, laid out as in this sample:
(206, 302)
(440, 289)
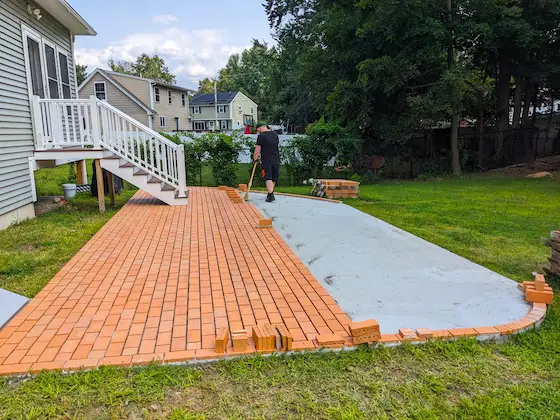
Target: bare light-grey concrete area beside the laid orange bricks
(376, 270)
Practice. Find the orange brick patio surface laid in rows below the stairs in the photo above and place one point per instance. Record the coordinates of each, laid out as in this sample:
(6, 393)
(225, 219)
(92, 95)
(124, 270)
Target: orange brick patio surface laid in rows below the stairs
(157, 281)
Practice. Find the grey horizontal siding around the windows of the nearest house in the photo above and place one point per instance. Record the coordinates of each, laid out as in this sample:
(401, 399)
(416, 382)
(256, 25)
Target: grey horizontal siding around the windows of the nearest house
(16, 135)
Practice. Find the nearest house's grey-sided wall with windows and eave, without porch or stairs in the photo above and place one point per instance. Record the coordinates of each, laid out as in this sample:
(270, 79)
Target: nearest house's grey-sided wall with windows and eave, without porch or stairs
(36, 58)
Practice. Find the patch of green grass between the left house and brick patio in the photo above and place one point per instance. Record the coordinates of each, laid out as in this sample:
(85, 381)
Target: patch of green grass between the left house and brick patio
(32, 252)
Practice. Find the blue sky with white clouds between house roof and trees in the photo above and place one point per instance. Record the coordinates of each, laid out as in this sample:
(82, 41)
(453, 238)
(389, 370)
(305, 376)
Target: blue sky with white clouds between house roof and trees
(195, 38)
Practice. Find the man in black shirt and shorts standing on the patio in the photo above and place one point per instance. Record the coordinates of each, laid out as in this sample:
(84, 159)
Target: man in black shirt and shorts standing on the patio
(267, 149)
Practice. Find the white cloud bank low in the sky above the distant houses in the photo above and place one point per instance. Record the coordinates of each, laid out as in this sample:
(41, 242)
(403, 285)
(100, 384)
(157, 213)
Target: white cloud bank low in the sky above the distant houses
(191, 55)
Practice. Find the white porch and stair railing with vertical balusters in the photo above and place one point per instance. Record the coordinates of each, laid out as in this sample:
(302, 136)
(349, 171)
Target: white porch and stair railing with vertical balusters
(87, 123)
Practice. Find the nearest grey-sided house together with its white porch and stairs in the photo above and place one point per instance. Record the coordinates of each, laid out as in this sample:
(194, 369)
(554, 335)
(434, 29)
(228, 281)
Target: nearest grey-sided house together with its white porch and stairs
(43, 124)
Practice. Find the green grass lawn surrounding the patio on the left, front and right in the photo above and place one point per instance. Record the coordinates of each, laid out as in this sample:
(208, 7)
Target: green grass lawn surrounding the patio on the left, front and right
(496, 222)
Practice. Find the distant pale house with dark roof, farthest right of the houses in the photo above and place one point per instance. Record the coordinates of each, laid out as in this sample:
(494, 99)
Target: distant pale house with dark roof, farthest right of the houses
(233, 111)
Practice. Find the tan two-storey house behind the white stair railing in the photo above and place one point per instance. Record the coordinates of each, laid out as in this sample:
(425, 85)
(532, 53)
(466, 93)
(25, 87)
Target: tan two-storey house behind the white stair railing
(158, 105)
